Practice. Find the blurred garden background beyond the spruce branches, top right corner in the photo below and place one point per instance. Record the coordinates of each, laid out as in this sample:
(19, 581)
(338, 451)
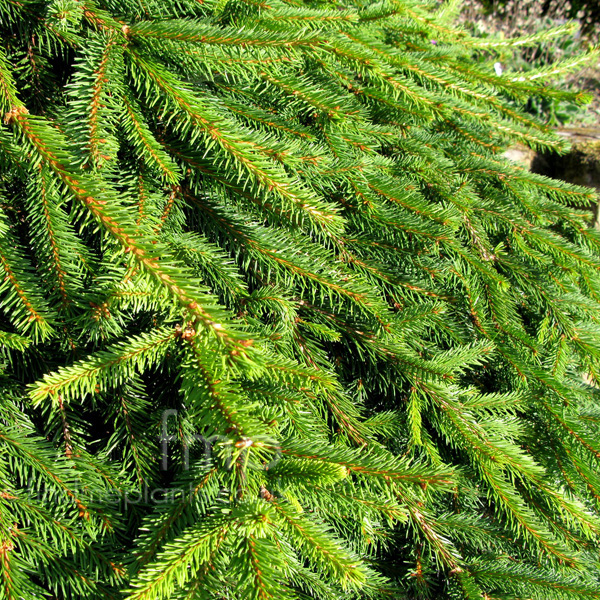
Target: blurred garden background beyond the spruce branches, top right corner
(578, 124)
